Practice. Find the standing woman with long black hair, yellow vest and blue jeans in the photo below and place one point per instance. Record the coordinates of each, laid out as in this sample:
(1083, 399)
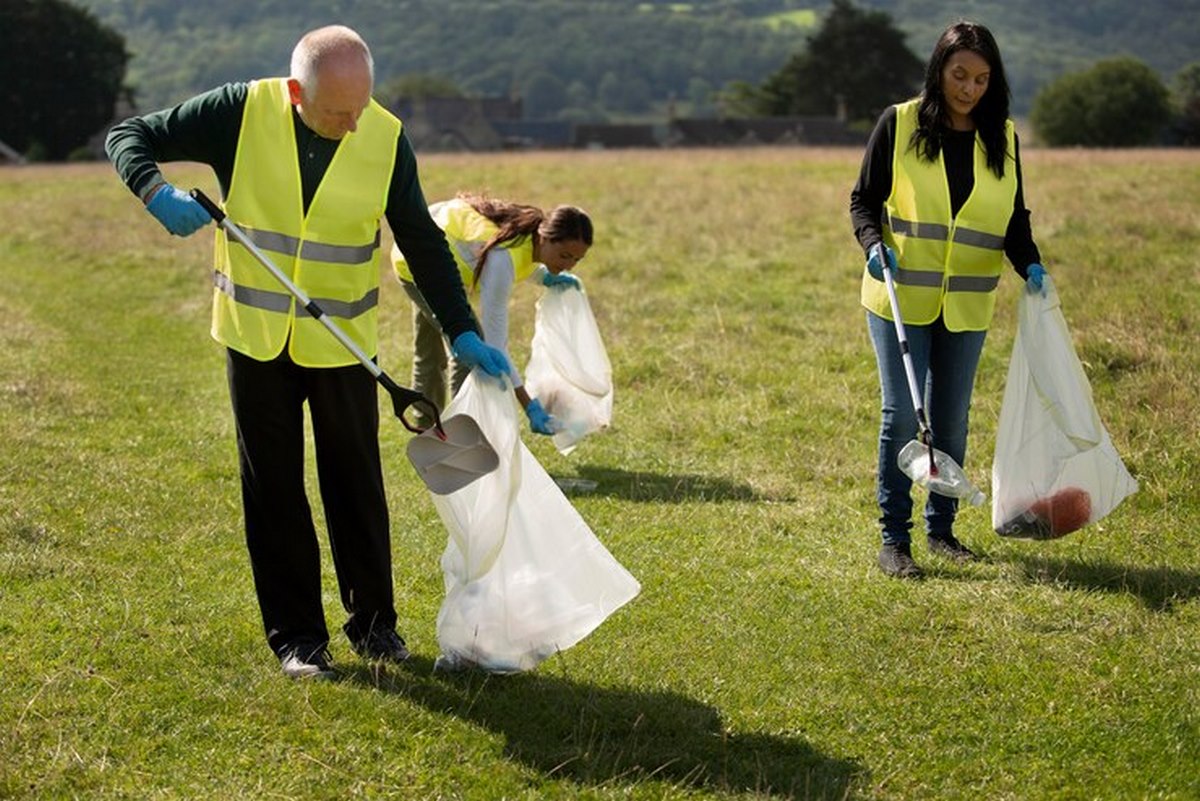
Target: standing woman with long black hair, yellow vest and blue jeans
(940, 190)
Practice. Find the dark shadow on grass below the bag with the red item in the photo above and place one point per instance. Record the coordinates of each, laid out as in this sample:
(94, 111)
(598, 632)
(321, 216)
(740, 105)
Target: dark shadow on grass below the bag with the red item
(1159, 588)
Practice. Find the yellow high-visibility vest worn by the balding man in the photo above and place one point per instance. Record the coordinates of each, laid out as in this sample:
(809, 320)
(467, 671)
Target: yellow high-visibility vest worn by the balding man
(331, 252)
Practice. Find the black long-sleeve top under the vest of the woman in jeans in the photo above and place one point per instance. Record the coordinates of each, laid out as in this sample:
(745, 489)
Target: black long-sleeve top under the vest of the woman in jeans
(958, 150)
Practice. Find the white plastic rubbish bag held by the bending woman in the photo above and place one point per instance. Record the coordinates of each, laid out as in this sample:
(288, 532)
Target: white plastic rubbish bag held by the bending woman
(569, 369)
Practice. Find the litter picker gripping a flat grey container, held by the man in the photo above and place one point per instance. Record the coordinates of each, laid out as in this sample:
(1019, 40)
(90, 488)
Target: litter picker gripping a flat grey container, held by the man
(447, 456)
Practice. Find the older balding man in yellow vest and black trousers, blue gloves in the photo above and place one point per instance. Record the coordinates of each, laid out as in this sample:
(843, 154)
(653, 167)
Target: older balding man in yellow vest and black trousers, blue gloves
(308, 166)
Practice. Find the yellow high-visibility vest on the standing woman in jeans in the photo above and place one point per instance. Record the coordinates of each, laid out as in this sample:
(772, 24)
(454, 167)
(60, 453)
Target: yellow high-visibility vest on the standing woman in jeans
(949, 266)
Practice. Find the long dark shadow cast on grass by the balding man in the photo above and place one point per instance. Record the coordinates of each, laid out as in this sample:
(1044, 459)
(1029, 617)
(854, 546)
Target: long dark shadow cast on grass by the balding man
(611, 737)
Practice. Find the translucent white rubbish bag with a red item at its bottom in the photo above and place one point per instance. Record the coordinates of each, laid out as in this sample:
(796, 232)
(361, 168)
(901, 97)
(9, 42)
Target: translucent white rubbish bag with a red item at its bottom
(1055, 468)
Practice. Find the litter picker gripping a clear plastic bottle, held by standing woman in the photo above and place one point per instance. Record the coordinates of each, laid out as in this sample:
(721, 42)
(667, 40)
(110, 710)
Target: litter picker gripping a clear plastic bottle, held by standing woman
(927, 466)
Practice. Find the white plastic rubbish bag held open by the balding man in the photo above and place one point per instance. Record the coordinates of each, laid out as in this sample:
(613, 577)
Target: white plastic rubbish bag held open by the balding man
(525, 576)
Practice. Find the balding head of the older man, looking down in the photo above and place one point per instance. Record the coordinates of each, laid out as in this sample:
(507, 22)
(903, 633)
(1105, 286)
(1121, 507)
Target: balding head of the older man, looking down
(332, 80)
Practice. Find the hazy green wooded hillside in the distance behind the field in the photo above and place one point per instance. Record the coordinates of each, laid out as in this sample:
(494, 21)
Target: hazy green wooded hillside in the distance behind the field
(607, 59)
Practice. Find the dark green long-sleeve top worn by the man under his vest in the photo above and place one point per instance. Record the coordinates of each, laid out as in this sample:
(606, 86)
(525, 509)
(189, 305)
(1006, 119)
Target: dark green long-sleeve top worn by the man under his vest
(206, 129)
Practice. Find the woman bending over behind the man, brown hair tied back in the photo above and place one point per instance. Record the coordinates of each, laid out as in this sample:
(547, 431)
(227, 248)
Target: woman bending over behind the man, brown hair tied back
(496, 244)
